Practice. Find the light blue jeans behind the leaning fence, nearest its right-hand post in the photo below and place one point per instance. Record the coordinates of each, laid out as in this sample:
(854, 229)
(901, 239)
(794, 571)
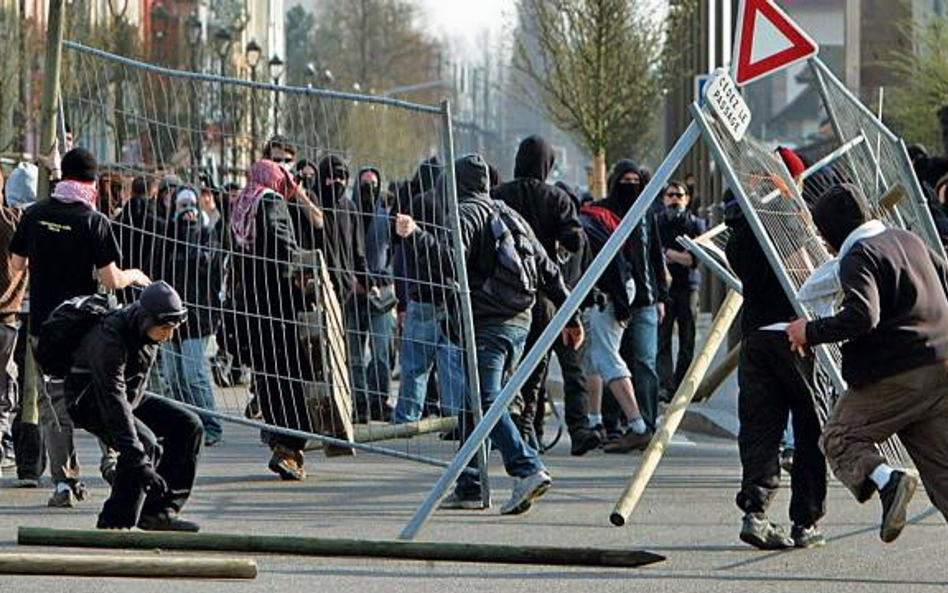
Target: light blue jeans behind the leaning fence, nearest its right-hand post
(423, 342)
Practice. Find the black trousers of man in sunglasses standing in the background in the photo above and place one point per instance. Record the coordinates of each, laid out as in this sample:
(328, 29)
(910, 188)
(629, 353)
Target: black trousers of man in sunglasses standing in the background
(680, 309)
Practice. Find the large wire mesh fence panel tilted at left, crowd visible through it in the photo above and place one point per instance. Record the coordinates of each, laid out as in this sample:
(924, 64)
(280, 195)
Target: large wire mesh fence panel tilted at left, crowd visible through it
(289, 267)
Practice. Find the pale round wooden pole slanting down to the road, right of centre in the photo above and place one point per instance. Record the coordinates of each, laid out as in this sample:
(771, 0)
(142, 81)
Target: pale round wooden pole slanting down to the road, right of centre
(676, 409)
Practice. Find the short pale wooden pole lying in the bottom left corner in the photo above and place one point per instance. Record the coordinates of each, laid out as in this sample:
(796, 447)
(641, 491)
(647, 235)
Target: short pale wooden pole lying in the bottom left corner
(127, 566)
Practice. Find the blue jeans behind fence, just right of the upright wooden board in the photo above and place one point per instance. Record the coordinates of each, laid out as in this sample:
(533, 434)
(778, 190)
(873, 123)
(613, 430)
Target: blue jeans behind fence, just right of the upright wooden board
(371, 374)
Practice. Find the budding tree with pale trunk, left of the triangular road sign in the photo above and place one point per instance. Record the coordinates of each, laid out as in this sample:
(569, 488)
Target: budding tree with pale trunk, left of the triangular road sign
(597, 66)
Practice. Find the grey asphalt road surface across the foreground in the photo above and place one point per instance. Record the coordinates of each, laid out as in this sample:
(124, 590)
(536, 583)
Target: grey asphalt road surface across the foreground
(687, 515)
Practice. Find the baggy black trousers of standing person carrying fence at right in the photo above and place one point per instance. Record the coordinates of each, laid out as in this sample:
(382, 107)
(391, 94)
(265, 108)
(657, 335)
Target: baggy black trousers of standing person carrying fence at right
(774, 382)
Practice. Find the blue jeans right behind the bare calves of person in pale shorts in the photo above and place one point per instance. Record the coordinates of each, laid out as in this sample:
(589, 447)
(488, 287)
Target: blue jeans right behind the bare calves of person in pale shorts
(640, 351)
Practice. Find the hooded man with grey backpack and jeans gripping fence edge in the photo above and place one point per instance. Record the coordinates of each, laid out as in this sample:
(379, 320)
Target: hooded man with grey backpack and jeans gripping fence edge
(506, 265)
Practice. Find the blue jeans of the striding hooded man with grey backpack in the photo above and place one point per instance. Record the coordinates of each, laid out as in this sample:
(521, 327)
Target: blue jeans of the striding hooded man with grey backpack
(498, 350)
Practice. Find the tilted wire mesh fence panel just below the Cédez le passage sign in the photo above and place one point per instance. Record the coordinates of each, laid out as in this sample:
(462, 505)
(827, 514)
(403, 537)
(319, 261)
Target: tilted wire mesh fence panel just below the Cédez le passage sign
(775, 208)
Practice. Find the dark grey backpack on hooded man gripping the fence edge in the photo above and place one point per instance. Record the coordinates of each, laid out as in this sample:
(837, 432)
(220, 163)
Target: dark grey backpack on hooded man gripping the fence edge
(515, 276)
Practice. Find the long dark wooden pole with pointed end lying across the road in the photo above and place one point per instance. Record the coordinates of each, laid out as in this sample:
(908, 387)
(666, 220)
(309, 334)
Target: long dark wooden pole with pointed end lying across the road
(307, 546)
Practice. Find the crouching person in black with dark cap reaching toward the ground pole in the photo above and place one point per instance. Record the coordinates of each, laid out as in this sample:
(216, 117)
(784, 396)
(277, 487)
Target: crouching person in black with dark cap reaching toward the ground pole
(106, 394)
